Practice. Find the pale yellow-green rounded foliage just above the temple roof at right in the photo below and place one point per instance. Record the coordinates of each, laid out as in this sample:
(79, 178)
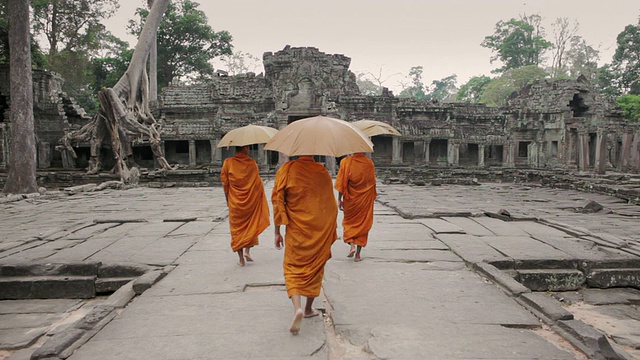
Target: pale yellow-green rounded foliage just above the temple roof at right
(495, 93)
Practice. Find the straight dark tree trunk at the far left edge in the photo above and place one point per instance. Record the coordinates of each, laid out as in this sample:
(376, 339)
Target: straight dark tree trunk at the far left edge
(22, 164)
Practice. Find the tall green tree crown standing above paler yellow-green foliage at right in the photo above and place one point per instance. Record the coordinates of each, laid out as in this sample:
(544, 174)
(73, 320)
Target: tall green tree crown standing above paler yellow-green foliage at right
(517, 43)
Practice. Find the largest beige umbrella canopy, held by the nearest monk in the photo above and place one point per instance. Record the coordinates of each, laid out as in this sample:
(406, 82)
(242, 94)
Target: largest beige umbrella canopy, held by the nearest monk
(319, 135)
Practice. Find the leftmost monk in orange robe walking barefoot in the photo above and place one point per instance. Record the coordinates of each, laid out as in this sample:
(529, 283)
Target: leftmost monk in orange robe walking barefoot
(247, 202)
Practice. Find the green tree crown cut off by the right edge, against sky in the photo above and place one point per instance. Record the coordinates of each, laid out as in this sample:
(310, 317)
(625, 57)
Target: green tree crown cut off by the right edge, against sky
(626, 60)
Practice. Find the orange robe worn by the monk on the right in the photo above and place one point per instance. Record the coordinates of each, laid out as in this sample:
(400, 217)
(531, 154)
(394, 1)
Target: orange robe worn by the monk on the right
(356, 180)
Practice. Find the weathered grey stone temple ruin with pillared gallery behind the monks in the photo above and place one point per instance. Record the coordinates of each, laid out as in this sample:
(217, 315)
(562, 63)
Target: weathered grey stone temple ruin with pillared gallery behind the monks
(559, 125)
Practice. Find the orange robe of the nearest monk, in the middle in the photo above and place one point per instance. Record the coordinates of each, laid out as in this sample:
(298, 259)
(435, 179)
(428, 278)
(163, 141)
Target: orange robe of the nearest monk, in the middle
(304, 202)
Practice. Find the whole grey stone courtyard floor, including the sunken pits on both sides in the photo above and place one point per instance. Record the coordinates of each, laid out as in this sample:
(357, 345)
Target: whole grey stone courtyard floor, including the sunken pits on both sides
(488, 271)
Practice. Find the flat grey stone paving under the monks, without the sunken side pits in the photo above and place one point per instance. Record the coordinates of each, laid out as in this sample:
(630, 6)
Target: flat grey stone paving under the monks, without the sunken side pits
(410, 296)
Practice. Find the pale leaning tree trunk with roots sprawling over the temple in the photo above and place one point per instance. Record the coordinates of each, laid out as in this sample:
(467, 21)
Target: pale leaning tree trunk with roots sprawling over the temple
(124, 109)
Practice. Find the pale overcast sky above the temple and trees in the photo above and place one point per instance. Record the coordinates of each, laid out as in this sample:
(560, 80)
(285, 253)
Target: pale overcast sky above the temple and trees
(442, 36)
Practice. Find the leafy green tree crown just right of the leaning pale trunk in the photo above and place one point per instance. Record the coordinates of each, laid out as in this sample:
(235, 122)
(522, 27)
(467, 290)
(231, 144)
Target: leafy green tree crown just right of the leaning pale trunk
(186, 43)
